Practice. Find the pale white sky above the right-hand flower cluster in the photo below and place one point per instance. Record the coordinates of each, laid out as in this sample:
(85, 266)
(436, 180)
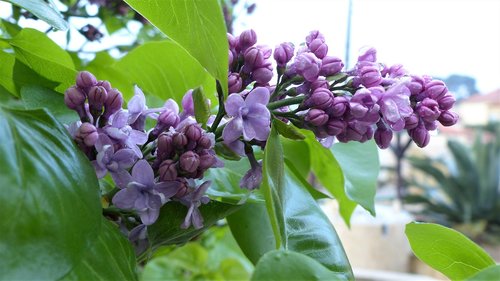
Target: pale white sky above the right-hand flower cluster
(434, 37)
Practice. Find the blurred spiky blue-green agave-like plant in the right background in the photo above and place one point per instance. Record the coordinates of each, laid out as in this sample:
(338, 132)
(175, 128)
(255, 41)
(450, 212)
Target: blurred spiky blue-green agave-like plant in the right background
(466, 188)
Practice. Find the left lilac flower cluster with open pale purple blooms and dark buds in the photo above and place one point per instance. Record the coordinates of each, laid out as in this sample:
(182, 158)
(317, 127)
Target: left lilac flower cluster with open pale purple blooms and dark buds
(149, 168)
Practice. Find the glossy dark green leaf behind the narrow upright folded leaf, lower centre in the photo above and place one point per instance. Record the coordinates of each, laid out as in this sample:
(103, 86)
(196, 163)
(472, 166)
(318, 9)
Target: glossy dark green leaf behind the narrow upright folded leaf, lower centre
(307, 229)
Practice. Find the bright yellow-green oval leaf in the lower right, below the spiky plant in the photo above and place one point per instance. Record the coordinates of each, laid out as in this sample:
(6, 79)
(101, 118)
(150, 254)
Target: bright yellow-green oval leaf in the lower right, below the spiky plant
(447, 250)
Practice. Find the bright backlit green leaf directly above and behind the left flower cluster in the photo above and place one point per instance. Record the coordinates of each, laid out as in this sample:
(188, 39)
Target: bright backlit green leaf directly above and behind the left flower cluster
(165, 70)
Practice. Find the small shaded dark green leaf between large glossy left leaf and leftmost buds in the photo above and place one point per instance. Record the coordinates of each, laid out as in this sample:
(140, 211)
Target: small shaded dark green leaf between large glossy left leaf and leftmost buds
(39, 97)
